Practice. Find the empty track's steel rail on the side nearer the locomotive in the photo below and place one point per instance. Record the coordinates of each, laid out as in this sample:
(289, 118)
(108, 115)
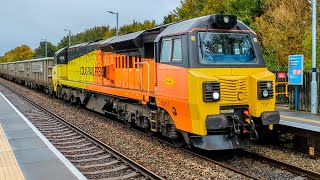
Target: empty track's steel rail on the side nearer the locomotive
(143, 170)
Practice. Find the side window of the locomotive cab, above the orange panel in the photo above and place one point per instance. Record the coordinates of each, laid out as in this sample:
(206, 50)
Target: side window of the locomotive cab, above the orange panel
(171, 50)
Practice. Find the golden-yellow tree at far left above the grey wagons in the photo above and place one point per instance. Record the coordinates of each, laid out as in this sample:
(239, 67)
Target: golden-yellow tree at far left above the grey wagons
(22, 52)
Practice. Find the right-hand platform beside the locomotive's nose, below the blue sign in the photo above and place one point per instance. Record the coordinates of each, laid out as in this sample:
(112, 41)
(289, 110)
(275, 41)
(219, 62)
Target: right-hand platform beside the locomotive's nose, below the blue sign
(299, 119)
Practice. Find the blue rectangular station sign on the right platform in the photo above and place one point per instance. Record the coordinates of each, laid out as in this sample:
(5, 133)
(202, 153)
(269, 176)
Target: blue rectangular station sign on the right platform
(295, 69)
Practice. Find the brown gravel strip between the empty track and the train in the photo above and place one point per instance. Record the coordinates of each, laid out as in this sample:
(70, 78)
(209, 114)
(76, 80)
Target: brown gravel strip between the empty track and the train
(169, 162)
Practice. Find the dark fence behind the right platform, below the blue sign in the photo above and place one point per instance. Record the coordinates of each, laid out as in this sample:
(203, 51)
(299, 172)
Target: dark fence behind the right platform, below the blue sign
(304, 92)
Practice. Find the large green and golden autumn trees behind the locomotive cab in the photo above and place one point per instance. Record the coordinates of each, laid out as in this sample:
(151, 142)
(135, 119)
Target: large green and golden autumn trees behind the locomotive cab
(284, 27)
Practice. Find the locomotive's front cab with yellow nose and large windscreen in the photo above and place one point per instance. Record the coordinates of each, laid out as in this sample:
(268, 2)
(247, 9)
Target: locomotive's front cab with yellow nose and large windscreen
(230, 92)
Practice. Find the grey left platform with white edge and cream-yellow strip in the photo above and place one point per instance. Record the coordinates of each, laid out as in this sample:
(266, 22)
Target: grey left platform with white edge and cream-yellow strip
(25, 153)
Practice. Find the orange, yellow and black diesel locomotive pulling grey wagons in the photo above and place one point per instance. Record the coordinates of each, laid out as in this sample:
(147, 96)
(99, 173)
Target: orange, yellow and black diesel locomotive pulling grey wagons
(201, 82)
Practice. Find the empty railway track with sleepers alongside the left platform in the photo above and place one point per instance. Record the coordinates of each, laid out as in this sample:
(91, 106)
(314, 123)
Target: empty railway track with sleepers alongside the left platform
(92, 157)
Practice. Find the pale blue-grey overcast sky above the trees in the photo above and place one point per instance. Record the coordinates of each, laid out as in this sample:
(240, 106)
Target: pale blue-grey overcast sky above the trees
(28, 22)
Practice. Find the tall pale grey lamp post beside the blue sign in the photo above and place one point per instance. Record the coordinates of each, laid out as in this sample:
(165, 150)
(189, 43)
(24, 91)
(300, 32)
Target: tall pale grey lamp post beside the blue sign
(314, 89)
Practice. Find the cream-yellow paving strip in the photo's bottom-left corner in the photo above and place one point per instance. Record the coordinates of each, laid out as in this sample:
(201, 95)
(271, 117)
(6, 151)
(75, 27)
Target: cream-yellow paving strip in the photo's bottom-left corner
(9, 167)
